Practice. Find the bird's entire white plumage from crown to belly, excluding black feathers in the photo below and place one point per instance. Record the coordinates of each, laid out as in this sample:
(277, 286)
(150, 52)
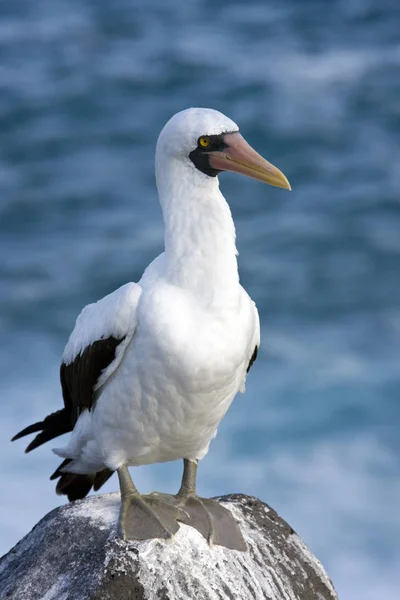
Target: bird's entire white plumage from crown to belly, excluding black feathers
(189, 328)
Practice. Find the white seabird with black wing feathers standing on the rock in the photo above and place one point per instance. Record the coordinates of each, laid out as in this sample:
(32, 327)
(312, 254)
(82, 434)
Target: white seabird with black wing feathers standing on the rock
(150, 370)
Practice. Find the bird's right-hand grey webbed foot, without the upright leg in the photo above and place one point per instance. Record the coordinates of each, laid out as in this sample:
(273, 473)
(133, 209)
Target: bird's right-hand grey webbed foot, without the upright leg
(215, 522)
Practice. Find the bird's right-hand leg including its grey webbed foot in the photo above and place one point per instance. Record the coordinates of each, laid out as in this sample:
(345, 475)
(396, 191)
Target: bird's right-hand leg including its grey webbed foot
(210, 518)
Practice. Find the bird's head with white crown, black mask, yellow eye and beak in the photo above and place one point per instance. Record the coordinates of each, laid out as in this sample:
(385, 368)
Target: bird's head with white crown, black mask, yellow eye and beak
(210, 142)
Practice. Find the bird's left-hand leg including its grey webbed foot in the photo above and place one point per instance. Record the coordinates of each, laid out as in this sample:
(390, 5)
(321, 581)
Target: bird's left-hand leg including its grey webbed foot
(145, 517)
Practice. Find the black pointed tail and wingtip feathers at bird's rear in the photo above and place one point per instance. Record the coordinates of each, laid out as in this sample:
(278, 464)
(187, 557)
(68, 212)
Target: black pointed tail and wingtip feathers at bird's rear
(73, 485)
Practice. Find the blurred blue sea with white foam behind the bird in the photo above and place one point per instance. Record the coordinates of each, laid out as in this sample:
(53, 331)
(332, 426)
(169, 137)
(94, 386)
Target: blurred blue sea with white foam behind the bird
(315, 87)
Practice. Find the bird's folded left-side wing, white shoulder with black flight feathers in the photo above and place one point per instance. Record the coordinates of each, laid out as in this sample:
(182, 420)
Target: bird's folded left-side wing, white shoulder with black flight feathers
(96, 347)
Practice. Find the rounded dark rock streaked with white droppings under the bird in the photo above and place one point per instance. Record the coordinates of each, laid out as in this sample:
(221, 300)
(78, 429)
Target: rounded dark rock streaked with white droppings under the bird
(73, 554)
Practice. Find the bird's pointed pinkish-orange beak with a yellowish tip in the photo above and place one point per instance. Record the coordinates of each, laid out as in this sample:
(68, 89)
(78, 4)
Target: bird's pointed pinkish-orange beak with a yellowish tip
(238, 156)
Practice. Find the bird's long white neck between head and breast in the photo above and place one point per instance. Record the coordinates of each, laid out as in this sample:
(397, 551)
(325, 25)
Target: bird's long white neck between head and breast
(200, 247)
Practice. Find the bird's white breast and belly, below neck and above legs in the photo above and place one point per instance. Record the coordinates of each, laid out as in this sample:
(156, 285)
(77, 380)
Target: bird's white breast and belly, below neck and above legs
(178, 377)
